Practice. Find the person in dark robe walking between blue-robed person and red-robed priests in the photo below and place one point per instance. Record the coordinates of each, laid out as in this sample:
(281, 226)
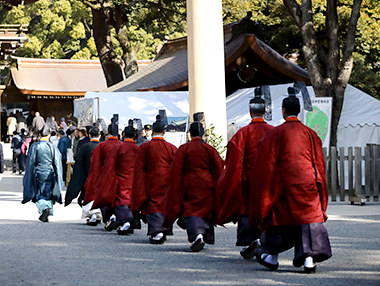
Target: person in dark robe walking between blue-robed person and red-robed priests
(81, 169)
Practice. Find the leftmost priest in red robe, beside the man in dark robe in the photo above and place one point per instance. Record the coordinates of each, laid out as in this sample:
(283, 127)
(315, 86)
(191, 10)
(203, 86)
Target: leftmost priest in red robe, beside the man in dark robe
(101, 184)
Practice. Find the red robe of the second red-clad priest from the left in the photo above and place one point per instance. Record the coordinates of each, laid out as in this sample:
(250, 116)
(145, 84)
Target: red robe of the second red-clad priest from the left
(124, 170)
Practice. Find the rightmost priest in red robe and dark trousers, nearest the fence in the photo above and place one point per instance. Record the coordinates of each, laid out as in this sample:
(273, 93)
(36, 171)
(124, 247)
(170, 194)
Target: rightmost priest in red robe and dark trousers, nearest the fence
(291, 192)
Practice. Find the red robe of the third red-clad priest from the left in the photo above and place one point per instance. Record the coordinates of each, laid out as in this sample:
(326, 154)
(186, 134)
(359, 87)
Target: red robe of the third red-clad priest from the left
(151, 176)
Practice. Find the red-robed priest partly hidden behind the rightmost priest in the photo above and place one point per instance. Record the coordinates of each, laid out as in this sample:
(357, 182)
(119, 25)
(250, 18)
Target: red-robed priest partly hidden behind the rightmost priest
(235, 183)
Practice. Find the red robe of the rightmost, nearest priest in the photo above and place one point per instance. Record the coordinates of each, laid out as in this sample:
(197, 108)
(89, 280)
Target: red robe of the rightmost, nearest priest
(291, 184)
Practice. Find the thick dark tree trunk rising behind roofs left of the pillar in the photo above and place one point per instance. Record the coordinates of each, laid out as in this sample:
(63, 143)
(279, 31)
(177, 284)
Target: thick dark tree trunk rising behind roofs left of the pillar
(102, 35)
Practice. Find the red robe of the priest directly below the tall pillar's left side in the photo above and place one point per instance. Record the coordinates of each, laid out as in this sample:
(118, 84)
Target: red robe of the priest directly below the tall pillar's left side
(195, 170)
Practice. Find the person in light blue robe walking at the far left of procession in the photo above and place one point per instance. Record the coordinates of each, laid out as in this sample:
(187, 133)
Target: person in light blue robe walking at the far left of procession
(43, 177)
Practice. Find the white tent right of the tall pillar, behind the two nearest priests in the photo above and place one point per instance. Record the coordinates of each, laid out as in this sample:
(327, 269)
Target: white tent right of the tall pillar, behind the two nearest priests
(359, 123)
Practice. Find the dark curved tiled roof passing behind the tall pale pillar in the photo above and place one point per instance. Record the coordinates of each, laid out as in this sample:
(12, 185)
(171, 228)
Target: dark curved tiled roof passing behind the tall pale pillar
(169, 71)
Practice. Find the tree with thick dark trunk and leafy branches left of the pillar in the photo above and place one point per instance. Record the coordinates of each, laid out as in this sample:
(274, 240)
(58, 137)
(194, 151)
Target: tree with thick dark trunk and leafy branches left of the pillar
(121, 15)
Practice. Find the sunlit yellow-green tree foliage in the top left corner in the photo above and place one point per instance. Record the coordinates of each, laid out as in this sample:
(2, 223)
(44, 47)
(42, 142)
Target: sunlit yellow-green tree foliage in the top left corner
(57, 29)
